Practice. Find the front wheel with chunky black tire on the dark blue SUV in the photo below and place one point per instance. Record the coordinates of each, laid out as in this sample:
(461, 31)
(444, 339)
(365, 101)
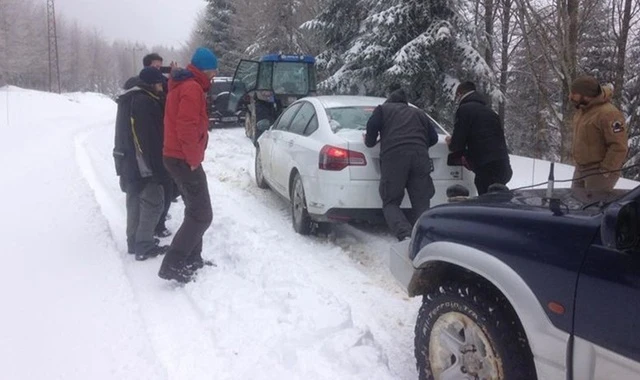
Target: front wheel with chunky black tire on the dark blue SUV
(462, 332)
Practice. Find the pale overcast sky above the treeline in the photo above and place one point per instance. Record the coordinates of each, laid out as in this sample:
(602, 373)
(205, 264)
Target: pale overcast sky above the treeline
(152, 22)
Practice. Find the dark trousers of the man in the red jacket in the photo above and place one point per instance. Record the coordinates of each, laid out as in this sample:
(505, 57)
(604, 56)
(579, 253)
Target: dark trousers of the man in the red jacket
(187, 242)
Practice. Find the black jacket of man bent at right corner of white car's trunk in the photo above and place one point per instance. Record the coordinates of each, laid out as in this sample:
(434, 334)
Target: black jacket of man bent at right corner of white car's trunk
(477, 132)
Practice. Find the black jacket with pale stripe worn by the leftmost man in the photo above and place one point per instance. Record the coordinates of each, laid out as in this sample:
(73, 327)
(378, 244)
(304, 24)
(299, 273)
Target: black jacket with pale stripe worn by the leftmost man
(139, 133)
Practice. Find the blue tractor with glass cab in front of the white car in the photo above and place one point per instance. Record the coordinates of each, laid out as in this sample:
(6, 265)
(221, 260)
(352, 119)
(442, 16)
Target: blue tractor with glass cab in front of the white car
(269, 86)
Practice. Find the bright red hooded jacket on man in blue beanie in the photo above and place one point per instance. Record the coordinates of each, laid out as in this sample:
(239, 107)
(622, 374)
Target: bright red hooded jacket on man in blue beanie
(186, 121)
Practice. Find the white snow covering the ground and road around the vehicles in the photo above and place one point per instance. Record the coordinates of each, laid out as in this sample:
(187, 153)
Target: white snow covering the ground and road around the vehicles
(277, 306)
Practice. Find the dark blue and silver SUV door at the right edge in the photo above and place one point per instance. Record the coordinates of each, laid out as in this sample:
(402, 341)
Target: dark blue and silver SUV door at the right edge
(607, 314)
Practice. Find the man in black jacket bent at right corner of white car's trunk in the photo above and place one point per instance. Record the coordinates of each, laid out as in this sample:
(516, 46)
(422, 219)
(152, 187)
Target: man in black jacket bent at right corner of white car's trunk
(479, 137)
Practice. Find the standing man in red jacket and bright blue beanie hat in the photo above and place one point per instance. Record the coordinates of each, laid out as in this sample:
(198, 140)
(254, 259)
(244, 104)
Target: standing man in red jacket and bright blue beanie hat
(185, 139)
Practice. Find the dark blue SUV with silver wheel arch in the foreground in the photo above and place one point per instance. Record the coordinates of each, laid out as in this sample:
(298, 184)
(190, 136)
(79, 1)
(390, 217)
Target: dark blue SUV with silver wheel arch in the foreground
(518, 285)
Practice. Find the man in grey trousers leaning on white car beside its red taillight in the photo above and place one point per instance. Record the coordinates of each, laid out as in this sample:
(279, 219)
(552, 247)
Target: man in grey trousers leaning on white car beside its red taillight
(406, 133)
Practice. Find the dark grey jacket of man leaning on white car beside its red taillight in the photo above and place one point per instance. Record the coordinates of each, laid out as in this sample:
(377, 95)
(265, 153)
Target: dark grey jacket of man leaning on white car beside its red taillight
(399, 125)
